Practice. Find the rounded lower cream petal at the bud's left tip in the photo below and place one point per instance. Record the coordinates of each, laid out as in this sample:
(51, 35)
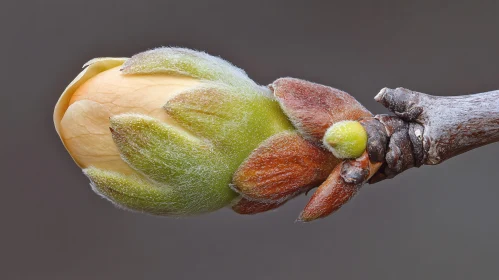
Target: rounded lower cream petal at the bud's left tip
(85, 133)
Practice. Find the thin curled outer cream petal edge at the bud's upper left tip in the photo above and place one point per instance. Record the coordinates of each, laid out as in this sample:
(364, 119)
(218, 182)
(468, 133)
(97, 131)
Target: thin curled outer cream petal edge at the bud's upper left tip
(91, 68)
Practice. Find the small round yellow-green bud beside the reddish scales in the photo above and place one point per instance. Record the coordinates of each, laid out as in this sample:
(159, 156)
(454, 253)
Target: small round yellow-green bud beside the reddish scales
(346, 139)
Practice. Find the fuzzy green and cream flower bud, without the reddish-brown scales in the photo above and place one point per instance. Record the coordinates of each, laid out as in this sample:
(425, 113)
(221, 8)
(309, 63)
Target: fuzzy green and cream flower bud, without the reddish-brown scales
(164, 131)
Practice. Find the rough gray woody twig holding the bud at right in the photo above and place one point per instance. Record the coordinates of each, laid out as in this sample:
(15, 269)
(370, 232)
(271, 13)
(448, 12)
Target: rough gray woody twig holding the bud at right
(429, 129)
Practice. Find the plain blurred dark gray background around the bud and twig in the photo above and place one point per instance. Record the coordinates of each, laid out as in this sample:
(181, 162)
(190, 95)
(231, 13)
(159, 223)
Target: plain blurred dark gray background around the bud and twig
(430, 223)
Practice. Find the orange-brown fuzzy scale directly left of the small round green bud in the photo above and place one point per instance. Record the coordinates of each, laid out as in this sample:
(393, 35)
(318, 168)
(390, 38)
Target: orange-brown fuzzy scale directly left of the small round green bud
(284, 165)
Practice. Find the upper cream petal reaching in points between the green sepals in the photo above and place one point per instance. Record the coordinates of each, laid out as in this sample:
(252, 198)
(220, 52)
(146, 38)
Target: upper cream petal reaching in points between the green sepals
(140, 94)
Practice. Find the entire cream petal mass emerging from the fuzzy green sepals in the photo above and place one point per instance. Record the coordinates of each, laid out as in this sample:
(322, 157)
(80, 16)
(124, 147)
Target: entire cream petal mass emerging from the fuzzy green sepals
(111, 93)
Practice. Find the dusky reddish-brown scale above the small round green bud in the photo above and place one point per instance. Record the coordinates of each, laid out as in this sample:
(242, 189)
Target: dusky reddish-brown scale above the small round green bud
(313, 108)
